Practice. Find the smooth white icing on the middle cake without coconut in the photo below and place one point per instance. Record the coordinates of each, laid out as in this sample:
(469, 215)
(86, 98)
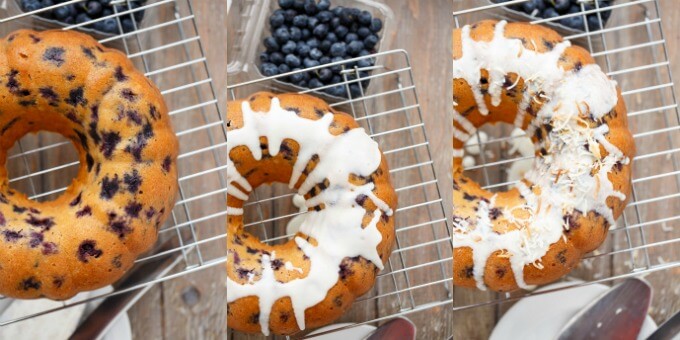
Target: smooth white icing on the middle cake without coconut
(337, 229)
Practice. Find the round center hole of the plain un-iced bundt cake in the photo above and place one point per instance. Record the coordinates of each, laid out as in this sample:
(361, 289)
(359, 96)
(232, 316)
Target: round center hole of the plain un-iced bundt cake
(42, 165)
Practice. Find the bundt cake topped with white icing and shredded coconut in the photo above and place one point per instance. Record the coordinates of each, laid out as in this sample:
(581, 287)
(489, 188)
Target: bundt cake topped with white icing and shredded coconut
(579, 184)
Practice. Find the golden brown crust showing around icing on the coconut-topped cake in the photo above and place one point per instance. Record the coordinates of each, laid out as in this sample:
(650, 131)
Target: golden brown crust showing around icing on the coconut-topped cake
(587, 232)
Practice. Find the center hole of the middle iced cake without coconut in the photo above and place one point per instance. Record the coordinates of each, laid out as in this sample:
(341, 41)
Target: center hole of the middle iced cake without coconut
(268, 213)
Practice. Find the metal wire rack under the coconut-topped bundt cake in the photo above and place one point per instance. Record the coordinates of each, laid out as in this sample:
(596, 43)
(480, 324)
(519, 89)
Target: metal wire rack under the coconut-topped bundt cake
(632, 50)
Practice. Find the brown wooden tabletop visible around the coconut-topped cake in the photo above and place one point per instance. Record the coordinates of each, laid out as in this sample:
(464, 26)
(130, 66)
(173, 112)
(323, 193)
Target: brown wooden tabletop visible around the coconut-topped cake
(646, 236)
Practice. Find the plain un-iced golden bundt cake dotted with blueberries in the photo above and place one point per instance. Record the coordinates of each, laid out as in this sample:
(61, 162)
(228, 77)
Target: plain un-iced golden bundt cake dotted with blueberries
(67, 83)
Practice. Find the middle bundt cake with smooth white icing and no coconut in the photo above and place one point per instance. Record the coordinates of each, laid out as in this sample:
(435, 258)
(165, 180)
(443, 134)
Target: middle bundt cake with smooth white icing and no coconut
(342, 181)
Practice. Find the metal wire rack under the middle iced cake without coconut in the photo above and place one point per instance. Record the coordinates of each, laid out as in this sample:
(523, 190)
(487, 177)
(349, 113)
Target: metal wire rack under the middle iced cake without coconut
(418, 274)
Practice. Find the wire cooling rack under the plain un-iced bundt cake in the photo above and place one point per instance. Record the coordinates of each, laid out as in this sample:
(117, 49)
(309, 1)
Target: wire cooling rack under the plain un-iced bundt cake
(166, 46)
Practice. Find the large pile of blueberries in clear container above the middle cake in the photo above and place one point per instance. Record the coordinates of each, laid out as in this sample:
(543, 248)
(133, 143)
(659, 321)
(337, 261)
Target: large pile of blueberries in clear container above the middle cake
(307, 33)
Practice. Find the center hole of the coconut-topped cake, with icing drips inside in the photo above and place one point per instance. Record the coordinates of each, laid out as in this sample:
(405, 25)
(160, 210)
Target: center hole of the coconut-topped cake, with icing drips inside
(497, 156)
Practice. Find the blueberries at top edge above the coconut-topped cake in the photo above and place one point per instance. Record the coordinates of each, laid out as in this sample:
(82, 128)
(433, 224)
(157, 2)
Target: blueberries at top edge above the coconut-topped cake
(554, 8)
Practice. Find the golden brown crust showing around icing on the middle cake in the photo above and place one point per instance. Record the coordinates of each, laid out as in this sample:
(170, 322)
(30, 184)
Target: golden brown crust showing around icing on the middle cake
(244, 251)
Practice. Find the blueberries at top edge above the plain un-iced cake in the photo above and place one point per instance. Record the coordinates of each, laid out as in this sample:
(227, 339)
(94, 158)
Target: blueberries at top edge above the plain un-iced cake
(85, 11)
